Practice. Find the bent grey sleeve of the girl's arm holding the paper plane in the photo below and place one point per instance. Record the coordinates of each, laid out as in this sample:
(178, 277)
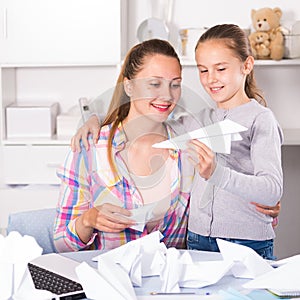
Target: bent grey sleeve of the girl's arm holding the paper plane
(265, 186)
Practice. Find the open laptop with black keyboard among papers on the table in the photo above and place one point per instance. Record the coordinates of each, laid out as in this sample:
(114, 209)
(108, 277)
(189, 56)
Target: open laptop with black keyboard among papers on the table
(56, 273)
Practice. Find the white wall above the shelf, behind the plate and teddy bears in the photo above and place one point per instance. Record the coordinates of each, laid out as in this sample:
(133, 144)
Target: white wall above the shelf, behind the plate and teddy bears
(199, 13)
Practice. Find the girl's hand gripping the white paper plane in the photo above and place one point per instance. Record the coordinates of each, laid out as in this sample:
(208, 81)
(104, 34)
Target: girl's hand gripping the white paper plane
(202, 157)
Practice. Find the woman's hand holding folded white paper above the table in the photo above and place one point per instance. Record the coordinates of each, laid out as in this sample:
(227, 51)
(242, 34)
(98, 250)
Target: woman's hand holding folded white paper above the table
(106, 217)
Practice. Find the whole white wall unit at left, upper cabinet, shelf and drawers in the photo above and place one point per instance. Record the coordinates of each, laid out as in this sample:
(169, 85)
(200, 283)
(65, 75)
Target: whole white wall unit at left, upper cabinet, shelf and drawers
(59, 50)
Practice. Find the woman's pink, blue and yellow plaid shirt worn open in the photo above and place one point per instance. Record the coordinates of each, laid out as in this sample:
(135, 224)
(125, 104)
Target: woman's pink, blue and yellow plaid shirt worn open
(86, 177)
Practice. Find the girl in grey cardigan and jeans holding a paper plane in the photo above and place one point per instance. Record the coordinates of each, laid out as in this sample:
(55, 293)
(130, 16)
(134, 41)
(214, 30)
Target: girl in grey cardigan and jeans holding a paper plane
(226, 184)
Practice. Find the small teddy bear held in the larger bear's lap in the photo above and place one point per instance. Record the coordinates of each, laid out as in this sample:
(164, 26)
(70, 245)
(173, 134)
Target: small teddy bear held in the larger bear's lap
(260, 44)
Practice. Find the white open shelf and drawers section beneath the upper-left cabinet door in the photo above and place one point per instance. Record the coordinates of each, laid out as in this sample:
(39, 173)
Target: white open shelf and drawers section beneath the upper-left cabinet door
(28, 165)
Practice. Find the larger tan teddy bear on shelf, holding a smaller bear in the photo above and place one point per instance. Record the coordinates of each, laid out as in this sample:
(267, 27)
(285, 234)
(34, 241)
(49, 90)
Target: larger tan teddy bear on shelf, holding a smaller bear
(268, 20)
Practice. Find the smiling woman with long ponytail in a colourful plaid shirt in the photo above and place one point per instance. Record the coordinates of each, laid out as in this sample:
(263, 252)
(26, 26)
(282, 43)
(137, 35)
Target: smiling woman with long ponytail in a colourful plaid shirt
(122, 171)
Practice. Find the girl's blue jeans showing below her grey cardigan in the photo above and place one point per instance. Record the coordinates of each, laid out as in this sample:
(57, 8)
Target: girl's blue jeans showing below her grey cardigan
(207, 243)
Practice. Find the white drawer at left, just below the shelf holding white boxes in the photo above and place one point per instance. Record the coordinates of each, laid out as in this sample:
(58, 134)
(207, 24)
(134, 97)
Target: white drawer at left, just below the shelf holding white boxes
(32, 164)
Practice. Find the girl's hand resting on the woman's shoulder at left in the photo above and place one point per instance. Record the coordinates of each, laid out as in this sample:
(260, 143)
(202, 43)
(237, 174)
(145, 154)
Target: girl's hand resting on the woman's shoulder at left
(92, 125)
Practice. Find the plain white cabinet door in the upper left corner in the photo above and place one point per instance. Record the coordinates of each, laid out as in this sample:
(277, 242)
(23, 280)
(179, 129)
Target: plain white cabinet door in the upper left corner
(60, 32)
